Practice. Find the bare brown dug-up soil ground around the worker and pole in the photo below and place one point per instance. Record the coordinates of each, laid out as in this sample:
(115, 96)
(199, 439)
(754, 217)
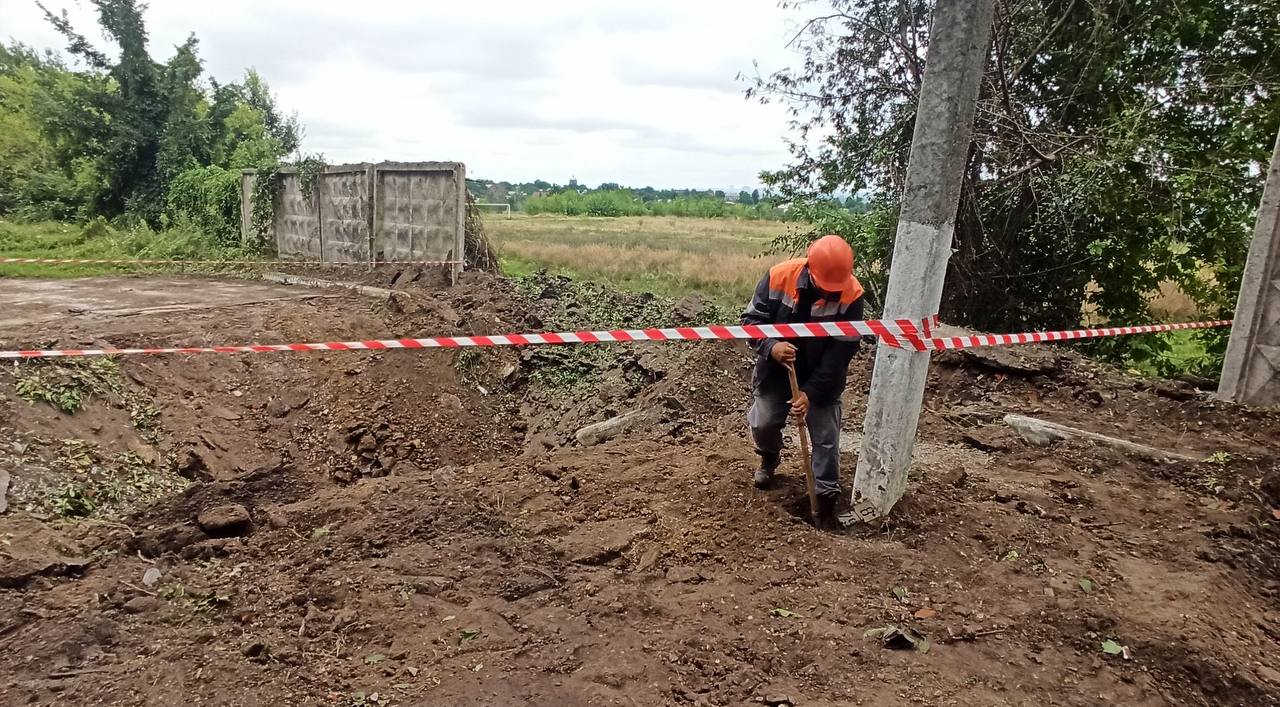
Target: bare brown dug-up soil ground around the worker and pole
(424, 528)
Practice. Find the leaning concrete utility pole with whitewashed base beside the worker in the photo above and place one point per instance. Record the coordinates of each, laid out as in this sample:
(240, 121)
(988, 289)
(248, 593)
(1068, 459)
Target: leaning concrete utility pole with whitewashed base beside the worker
(944, 127)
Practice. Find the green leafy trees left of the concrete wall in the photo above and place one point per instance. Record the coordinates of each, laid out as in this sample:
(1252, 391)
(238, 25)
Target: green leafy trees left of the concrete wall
(116, 136)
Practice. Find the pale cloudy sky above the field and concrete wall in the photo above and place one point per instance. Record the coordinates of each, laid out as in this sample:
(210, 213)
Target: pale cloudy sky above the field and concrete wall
(630, 93)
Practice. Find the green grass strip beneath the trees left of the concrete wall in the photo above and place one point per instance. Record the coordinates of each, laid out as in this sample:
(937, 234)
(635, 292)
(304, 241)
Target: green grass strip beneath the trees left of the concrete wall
(98, 240)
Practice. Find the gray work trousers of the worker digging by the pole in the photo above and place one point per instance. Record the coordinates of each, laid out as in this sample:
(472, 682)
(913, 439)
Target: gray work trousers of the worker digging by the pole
(769, 416)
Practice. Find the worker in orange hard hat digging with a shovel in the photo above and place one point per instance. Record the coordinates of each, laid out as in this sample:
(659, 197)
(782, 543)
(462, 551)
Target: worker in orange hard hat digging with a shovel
(820, 288)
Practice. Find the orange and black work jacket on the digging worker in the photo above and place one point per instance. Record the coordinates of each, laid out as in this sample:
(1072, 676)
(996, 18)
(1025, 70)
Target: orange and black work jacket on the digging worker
(788, 297)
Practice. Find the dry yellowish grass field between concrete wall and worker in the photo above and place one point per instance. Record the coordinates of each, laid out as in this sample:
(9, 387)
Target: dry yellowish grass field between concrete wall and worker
(671, 257)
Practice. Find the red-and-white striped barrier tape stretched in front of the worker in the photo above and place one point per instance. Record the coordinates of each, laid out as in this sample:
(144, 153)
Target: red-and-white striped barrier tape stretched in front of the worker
(900, 334)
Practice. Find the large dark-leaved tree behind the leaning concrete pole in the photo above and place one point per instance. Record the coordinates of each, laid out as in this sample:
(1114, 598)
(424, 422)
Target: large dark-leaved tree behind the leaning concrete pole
(1117, 147)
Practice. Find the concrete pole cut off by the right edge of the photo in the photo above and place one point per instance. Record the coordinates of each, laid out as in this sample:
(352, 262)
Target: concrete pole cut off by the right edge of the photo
(1251, 373)
